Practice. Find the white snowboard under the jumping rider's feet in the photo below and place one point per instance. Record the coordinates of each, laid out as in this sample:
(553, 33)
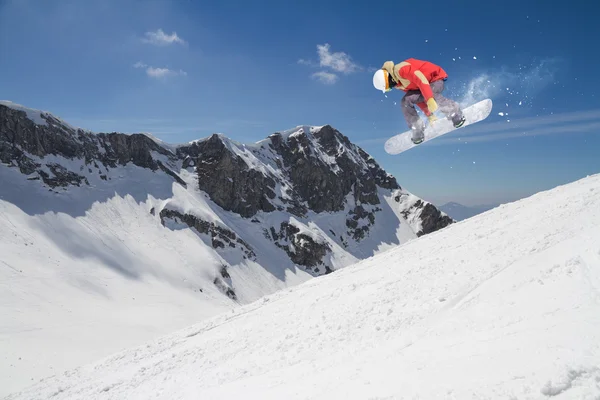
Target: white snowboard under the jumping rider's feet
(474, 113)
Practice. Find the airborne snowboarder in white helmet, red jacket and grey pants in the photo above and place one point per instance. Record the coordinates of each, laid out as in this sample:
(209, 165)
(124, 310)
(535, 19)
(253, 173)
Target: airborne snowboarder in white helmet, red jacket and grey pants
(423, 83)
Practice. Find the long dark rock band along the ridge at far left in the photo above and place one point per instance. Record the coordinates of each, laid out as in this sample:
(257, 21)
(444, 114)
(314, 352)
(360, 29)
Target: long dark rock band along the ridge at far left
(26, 144)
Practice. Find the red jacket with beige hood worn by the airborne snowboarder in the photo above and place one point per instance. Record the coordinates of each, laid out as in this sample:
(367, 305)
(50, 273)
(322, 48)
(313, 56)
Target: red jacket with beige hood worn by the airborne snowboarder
(417, 74)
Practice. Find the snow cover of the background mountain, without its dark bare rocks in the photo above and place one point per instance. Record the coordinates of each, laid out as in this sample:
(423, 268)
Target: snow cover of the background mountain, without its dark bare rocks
(88, 271)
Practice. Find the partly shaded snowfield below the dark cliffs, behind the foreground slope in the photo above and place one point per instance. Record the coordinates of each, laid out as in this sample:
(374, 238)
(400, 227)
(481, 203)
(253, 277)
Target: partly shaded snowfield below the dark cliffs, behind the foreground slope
(90, 271)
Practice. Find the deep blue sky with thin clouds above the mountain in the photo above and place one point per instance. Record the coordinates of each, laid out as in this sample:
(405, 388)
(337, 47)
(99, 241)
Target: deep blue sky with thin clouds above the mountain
(185, 69)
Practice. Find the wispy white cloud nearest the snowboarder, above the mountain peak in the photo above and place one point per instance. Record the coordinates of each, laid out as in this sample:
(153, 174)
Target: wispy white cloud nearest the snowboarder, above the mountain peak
(336, 62)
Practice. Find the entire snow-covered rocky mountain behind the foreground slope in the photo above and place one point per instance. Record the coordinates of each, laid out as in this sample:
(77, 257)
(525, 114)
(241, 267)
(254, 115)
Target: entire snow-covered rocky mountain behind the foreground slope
(108, 239)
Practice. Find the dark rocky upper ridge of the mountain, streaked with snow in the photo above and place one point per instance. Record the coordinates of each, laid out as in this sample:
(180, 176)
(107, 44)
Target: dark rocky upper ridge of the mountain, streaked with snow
(299, 175)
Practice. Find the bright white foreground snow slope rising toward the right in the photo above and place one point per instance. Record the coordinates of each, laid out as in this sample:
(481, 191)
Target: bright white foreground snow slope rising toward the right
(505, 305)
